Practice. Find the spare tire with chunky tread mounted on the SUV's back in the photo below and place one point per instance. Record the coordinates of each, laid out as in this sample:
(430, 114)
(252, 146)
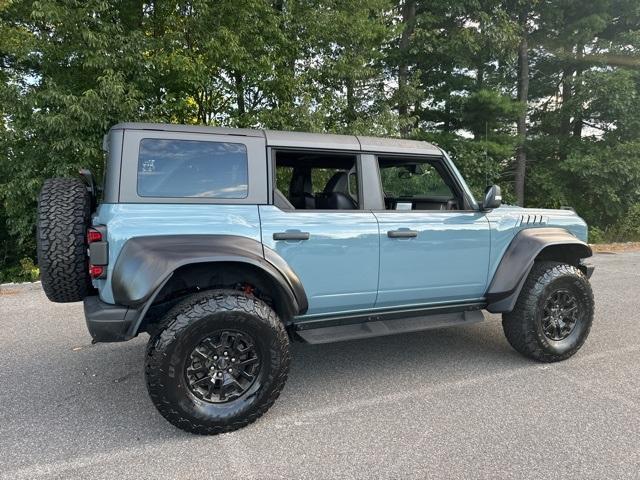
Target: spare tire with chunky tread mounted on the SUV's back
(64, 214)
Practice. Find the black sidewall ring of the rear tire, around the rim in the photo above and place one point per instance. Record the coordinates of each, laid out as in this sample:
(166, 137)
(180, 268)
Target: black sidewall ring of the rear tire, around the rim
(176, 354)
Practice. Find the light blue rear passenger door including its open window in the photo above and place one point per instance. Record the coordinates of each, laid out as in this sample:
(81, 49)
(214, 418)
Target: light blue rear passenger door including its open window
(333, 246)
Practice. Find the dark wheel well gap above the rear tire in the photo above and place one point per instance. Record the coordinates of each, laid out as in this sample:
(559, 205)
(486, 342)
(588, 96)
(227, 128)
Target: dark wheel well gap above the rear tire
(198, 277)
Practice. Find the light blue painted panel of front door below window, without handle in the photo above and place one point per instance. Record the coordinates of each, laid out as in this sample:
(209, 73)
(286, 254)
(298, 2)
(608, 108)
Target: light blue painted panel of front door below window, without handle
(448, 260)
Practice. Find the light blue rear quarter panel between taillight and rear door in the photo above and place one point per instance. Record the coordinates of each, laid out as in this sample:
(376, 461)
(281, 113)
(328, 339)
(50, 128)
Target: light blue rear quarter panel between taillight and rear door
(126, 220)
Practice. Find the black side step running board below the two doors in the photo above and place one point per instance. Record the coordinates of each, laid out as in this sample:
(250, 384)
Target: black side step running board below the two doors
(378, 328)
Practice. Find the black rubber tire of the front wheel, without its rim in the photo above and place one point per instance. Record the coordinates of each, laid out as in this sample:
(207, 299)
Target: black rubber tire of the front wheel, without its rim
(523, 326)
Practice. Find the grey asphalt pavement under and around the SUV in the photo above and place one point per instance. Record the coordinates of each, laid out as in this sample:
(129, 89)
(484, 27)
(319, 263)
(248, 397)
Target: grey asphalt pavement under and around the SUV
(455, 403)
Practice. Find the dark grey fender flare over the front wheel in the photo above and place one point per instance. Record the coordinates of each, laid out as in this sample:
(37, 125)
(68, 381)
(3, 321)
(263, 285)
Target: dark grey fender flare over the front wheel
(519, 257)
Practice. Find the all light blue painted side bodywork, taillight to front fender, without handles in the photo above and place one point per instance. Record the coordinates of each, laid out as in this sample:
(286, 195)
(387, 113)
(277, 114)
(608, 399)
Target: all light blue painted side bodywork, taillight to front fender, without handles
(349, 264)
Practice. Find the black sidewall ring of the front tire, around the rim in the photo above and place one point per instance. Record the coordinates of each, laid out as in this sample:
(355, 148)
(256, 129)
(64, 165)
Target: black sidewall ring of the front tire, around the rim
(576, 285)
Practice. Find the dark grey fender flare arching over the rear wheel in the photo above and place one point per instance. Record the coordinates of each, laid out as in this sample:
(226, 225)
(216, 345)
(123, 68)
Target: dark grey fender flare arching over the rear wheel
(145, 264)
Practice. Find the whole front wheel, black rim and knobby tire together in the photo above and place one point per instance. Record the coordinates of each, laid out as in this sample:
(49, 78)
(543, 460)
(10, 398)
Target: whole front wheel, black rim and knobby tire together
(553, 314)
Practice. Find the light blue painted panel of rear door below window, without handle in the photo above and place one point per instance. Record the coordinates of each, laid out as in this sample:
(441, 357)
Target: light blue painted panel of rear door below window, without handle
(338, 265)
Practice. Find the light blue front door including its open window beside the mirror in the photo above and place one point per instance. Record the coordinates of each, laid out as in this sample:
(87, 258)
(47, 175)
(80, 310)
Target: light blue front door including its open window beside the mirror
(432, 248)
